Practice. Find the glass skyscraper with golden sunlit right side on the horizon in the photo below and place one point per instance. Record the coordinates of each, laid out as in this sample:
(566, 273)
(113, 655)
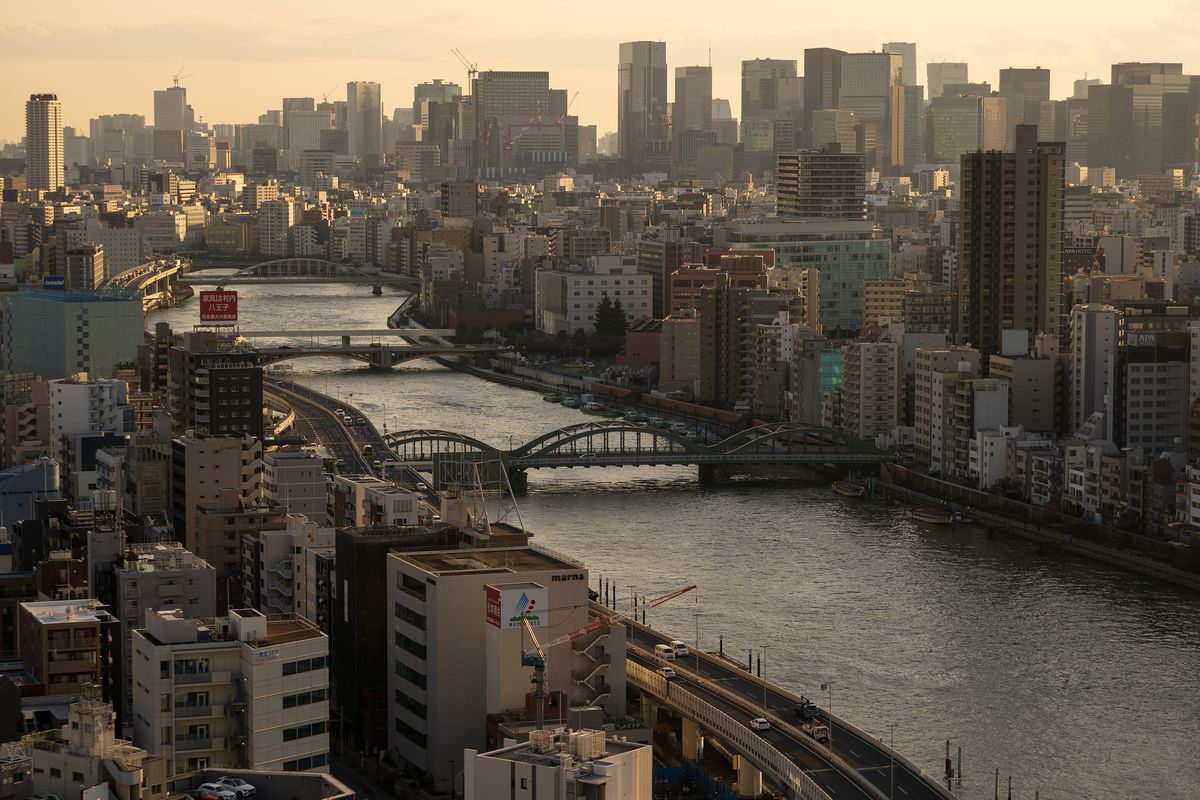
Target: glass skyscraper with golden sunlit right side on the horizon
(872, 88)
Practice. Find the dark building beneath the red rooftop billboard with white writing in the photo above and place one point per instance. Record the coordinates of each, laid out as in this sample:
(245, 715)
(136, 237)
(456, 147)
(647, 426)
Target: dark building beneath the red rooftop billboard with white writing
(215, 390)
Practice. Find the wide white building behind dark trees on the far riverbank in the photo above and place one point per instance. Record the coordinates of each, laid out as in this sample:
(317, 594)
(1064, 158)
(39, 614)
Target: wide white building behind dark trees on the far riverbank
(567, 299)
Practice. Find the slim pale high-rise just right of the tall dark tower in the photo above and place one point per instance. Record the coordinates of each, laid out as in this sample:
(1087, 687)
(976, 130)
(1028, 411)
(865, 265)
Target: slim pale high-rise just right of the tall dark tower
(1096, 333)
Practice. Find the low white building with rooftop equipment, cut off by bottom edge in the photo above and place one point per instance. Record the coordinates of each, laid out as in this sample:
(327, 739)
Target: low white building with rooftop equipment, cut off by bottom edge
(583, 761)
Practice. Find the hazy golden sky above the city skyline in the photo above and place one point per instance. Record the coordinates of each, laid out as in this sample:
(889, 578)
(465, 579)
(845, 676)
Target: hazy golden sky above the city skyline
(245, 57)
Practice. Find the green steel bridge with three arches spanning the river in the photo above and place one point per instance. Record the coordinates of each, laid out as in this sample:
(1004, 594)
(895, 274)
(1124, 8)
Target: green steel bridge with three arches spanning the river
(620, 443)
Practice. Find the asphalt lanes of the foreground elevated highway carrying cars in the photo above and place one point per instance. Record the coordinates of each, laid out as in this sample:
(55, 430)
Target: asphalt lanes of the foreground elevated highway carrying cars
(866, 755)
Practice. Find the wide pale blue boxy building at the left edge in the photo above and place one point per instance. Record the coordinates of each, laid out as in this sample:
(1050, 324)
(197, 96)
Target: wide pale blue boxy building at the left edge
(59, 334)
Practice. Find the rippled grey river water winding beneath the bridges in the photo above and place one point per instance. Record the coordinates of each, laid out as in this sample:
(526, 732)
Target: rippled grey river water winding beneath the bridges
(1077, 679)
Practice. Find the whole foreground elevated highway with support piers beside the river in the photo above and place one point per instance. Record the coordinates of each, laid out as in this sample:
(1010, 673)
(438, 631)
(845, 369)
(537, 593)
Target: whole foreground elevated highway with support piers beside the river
(711, 697)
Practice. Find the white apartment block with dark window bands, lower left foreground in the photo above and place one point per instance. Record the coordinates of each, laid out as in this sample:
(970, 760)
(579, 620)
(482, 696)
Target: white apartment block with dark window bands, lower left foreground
(241, 693)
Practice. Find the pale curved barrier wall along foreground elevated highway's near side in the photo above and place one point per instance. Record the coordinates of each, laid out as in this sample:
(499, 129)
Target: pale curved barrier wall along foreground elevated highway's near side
(734, 732)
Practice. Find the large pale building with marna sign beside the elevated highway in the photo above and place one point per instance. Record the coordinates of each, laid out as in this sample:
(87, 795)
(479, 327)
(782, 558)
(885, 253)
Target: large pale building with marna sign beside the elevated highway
(453, 665)
